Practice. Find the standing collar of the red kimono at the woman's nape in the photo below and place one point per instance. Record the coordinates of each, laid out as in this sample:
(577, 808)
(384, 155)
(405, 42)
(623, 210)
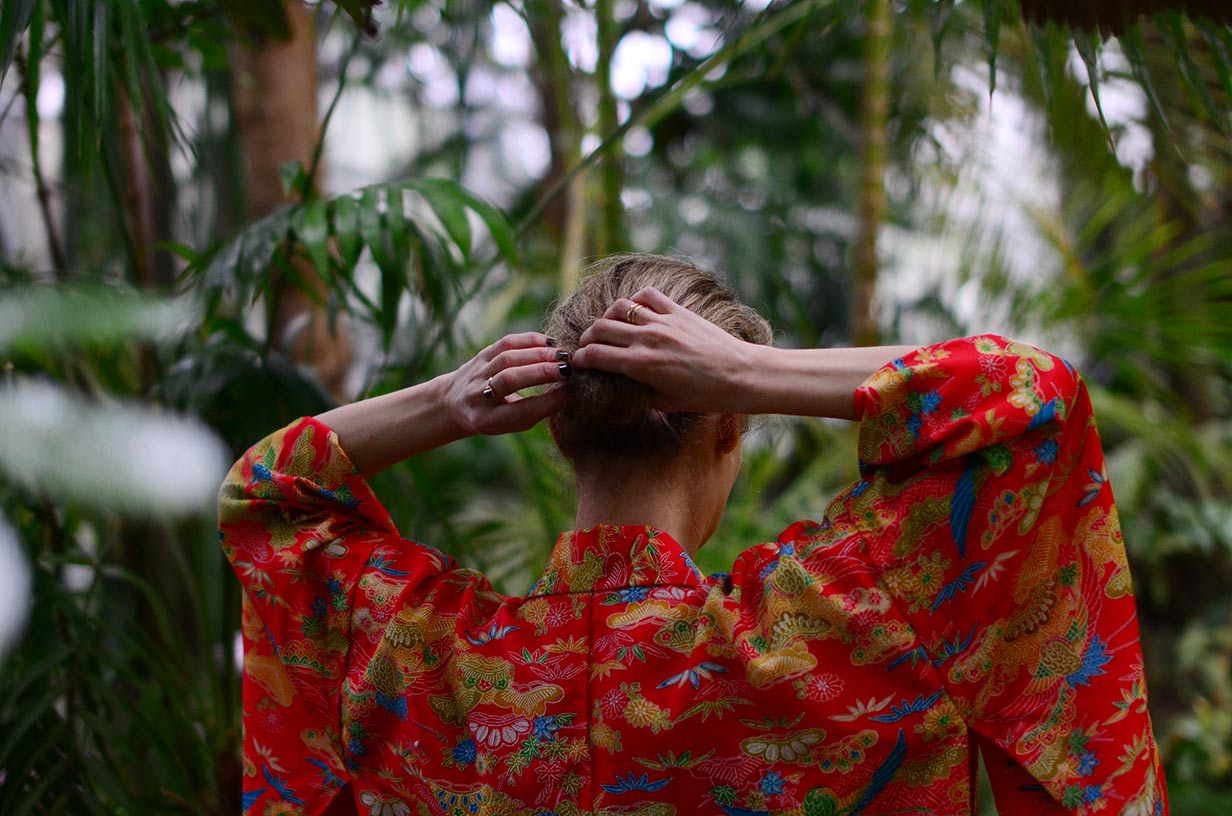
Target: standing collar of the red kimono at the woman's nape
(609, 558)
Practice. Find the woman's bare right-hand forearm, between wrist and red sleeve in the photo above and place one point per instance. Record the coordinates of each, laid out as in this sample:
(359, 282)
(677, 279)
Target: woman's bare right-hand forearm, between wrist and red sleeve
(811, 383)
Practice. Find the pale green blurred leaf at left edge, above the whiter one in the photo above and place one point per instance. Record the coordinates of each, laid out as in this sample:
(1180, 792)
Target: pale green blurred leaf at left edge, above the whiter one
(44, 316)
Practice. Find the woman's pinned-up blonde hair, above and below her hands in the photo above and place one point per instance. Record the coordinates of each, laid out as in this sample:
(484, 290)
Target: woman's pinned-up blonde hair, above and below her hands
(610, 414)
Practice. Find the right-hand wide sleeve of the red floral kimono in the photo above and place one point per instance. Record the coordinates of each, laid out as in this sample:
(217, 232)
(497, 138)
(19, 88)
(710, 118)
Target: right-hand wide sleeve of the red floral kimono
(1005, 552)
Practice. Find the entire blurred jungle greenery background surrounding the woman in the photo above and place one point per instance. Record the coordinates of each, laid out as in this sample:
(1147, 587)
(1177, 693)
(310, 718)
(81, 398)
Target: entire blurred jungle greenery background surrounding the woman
(220, 216)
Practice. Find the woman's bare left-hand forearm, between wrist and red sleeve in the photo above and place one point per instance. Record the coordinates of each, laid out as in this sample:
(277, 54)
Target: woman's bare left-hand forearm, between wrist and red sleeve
(384, 431)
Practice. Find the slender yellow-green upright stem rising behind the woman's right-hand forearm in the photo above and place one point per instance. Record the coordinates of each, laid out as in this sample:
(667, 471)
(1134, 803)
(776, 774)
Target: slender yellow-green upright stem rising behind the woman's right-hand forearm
(873, 171)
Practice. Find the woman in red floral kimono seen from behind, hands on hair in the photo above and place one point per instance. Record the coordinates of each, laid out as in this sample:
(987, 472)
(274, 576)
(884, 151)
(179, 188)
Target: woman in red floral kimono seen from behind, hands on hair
(969, 592)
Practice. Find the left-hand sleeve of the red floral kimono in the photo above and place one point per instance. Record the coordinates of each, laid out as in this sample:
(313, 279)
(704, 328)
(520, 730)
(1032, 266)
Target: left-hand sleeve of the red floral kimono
(301, 527)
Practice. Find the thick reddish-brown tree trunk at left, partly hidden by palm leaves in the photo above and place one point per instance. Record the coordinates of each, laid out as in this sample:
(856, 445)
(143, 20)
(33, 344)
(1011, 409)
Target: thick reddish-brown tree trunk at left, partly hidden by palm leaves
(275, 93)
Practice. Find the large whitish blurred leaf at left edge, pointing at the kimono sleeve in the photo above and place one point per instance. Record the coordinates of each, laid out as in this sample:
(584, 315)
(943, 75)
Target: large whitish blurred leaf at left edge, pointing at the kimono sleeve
(119, 457)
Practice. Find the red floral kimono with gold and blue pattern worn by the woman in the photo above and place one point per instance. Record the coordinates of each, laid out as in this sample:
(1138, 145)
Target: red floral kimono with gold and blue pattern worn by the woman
(970, 590)
